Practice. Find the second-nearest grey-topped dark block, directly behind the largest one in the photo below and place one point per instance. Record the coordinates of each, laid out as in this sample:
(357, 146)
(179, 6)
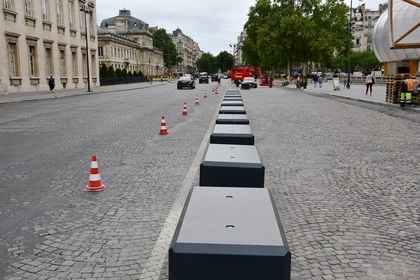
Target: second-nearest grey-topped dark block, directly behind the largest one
(232, 166)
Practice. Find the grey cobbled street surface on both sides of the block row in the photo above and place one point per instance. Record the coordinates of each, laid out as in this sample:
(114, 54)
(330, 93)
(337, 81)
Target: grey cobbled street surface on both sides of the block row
(344, 175)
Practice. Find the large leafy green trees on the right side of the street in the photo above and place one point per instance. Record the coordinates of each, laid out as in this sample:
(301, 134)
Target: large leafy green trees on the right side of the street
(282, 33)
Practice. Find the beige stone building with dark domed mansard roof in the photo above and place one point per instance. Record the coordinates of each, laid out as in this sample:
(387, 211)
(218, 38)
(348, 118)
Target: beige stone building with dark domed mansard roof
(126, 42)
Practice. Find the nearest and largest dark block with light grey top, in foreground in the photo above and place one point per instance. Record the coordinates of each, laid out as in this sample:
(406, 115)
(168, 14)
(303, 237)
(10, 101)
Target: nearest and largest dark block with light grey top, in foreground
(227, 234)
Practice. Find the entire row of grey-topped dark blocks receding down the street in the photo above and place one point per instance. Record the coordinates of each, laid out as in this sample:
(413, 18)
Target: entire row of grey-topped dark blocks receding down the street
(229, 227)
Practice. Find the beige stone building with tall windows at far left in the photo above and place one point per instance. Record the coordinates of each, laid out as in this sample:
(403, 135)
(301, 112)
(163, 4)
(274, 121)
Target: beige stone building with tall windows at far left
(43, 38)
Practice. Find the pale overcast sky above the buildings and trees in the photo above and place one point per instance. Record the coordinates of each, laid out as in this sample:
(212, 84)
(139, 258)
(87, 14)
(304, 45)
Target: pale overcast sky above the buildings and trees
(213, 24)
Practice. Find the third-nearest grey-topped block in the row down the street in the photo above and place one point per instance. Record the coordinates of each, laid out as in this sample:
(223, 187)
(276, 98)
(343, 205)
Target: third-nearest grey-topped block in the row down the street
(232, 134)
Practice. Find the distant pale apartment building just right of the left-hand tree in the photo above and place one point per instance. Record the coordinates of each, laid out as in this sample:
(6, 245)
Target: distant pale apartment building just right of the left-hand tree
(188, 50)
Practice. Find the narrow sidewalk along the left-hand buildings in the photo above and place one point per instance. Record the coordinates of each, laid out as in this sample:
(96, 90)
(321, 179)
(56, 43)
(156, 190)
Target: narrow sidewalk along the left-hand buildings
(36, 95)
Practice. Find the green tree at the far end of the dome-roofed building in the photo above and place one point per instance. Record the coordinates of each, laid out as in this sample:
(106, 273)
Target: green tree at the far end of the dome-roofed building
(164, 43)
